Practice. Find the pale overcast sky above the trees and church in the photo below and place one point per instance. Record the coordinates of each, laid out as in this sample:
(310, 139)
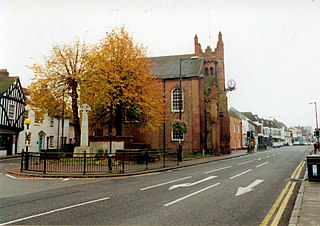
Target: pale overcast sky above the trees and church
(272, 48)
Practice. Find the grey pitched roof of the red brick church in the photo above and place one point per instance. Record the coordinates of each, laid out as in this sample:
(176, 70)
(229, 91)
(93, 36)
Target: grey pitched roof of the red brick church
(169, 66)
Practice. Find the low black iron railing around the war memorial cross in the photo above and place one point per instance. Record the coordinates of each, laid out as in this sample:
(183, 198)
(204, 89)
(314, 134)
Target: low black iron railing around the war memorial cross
(93, 163)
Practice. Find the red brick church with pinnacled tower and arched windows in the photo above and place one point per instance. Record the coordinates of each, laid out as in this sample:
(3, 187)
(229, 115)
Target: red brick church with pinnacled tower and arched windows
(204, 101)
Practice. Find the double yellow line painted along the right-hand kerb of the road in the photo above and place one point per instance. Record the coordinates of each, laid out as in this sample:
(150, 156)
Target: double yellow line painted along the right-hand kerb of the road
(282, 201)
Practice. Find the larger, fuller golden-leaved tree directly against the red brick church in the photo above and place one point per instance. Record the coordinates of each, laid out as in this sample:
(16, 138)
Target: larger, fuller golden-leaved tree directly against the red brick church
(120, 87)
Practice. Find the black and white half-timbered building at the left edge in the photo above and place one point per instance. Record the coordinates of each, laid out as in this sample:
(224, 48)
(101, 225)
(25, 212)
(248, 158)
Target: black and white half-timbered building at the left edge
(12, 105)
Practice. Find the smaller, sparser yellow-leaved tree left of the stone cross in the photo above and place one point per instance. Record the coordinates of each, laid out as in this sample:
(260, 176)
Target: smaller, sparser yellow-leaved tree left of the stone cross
(56, 83)
